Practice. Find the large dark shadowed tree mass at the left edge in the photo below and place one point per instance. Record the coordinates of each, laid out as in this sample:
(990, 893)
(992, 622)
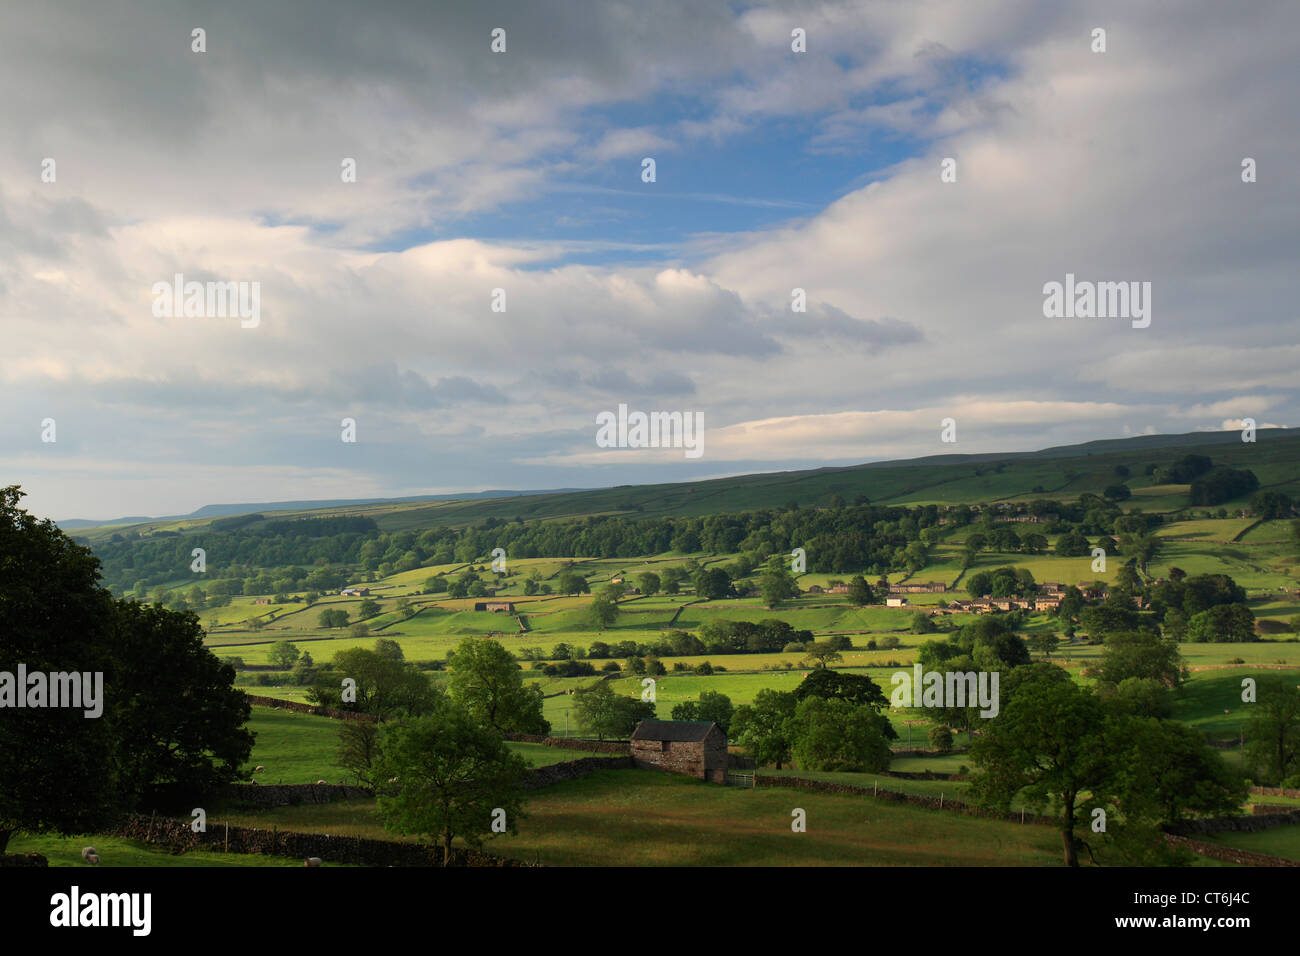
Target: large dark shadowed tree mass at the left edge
(167, 715)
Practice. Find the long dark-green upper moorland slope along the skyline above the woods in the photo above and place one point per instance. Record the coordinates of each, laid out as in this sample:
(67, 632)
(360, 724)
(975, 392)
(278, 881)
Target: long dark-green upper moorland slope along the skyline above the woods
(1056, 473)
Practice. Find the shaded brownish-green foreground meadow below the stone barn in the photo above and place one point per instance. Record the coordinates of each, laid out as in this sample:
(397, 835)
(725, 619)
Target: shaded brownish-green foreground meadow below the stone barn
(647, 819)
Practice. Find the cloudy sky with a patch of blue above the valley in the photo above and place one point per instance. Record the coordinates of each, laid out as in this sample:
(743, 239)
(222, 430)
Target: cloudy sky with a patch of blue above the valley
(523, 171)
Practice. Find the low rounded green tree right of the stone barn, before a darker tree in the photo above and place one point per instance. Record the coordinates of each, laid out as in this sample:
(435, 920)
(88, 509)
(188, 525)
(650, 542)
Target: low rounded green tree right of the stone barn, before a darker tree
(839, 736)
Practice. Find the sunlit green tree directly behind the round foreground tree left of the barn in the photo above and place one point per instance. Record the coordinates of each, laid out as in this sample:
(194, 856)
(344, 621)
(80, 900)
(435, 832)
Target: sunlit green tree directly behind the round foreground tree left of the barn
(488, 684)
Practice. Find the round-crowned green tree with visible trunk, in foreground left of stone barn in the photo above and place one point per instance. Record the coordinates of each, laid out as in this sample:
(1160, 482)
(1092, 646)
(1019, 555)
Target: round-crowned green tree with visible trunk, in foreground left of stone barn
(453, 776)
